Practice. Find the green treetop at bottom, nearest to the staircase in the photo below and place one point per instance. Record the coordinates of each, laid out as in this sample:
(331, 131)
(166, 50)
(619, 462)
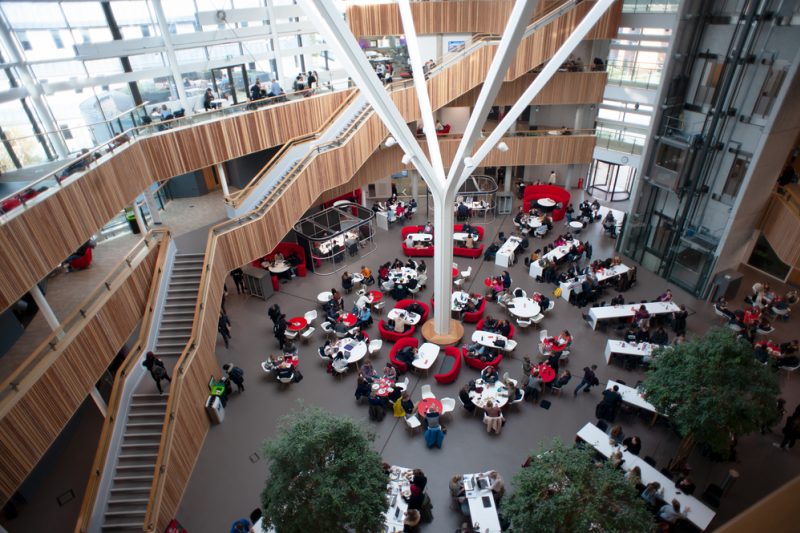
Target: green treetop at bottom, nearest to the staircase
(324, 475)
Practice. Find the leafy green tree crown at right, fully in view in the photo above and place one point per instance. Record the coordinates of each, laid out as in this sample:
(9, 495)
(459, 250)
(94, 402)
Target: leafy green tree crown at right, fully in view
(713, 389)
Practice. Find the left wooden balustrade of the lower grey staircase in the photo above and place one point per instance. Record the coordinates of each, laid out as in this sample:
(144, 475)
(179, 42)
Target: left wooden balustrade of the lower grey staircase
(125, 369)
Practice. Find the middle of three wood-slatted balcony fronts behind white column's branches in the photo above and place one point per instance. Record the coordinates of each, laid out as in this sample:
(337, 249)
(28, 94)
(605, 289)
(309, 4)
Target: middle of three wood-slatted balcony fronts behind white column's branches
(563, 88)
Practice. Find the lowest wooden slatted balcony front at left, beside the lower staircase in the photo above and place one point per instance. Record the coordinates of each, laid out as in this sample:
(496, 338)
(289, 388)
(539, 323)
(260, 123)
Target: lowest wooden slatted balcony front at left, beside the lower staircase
(36, 419)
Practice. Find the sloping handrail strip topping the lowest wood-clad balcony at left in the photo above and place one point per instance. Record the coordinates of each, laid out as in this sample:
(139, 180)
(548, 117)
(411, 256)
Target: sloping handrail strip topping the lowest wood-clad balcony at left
(42, 358)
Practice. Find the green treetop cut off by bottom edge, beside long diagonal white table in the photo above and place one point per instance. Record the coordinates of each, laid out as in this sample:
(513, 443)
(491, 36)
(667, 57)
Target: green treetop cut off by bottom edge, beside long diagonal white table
(563, 491)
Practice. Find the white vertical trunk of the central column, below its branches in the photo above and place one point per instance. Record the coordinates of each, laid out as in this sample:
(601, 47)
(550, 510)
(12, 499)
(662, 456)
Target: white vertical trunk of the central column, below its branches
(442, 263)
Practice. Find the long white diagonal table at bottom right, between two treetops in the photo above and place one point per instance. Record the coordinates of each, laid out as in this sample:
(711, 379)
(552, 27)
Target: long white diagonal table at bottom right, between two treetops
(698, 513)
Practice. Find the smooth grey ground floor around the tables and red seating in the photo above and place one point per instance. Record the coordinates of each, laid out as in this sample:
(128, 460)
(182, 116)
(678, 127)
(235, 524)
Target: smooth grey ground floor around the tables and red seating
(230, 471)
